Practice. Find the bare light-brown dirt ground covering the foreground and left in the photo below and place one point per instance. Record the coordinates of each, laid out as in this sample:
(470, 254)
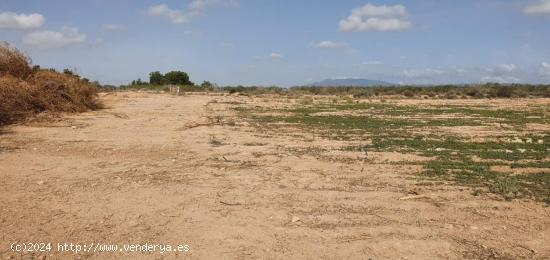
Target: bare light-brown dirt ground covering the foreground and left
(160, 169)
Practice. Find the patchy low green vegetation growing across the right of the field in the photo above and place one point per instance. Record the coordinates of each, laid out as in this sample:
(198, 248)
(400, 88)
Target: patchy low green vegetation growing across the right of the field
(406, 129)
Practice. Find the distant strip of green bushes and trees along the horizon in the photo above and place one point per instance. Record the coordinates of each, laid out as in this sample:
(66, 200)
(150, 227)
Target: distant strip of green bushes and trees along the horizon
(159, 81)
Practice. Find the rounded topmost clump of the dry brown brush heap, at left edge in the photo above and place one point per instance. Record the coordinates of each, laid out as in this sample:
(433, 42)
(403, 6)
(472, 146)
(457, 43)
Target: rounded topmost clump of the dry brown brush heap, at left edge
(13, 62)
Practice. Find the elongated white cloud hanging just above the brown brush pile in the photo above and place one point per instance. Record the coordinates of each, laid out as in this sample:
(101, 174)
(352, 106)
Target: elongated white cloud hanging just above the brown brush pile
(54, 39)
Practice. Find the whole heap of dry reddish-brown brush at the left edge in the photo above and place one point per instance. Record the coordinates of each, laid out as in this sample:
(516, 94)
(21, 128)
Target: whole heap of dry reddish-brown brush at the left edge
(25, 91)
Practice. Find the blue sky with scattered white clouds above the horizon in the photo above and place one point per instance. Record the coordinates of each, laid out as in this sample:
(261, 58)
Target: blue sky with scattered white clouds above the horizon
(284, 42)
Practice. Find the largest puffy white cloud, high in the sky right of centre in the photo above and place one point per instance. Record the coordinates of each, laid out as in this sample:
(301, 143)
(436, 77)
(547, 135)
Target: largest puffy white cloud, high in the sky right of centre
(376, 18)
